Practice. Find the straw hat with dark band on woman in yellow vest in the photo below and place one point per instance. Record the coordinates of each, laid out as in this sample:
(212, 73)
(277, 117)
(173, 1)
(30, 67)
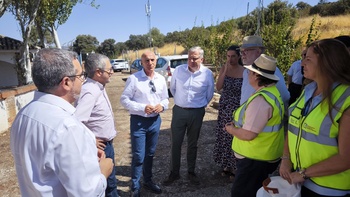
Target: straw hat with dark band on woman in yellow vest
(264, 65)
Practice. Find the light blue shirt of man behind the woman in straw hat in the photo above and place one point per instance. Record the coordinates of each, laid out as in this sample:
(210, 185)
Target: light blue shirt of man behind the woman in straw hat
(247, 90)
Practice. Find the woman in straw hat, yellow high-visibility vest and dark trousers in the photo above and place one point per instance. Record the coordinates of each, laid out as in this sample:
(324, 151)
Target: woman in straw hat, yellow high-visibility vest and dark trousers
(257, 128)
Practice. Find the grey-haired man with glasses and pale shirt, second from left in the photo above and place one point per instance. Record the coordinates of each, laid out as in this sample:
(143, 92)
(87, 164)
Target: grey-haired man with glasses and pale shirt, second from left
(95, 111)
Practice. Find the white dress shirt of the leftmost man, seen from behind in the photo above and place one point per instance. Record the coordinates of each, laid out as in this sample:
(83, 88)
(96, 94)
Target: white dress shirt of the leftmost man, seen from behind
(54, 153)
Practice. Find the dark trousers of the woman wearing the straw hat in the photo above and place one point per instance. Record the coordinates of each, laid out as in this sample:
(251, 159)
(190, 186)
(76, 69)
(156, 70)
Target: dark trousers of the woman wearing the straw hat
(249, 176)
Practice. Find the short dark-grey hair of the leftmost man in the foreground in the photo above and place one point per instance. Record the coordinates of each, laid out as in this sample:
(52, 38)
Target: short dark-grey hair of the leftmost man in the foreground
(50, 66)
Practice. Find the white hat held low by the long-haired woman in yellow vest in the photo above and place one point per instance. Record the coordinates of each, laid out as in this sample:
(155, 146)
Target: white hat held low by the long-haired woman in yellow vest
(276, 186)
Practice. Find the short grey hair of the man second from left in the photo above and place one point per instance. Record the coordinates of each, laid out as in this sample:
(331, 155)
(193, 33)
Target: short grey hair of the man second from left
(93, 62)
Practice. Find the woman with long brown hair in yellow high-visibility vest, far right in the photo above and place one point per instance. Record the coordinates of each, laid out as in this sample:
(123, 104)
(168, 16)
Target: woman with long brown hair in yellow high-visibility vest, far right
(317, 148)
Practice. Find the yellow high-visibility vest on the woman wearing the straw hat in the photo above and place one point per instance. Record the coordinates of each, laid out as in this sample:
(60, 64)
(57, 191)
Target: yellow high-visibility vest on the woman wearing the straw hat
(268, 145)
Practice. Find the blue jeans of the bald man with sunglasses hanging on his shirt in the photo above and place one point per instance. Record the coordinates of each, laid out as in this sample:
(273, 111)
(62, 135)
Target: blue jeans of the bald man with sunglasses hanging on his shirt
(144, 134)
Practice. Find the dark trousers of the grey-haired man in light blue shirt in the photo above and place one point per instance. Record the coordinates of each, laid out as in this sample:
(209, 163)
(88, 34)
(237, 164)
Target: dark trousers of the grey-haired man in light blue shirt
(183, 120)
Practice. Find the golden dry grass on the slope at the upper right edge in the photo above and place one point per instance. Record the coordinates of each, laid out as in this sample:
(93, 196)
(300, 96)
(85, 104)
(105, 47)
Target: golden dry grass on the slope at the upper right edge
(329, 27)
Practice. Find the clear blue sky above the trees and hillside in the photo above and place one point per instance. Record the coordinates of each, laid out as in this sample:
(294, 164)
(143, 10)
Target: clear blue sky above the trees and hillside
(118, 19)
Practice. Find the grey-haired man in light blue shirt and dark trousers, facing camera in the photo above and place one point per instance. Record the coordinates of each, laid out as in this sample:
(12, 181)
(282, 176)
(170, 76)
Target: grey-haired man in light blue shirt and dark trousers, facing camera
(192, 86)
